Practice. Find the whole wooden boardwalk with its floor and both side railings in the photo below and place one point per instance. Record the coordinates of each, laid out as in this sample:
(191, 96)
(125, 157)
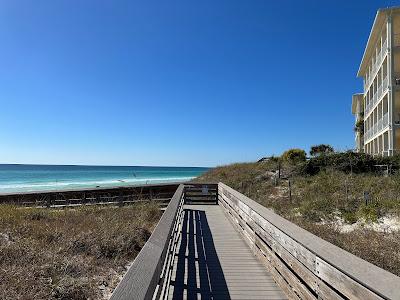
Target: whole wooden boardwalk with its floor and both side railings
(213, 242)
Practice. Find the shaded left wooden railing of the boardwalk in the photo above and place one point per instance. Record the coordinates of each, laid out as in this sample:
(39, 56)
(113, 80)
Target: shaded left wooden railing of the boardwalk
(150, 271)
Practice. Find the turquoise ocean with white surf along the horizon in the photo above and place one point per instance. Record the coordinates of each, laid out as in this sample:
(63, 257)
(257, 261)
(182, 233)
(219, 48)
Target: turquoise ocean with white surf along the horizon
(29, 178)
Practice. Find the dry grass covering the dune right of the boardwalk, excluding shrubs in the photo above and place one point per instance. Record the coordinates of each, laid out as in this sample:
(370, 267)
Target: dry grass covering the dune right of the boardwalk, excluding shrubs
(319, 199)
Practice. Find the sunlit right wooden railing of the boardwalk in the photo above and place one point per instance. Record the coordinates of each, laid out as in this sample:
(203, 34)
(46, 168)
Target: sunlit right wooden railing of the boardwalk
(303, 264)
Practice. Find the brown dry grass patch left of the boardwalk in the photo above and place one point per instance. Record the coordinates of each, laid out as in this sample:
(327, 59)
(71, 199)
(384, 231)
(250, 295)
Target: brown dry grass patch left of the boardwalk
(72, 253)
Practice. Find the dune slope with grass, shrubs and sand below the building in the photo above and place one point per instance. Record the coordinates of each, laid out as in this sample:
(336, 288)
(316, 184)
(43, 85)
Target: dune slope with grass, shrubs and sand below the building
(343, 197)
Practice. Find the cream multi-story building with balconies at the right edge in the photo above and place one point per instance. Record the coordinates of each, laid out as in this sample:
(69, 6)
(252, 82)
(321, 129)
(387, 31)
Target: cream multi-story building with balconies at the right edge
(379, 105)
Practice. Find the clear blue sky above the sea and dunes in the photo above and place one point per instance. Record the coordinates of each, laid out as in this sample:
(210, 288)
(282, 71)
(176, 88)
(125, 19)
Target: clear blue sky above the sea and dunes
(197, 83)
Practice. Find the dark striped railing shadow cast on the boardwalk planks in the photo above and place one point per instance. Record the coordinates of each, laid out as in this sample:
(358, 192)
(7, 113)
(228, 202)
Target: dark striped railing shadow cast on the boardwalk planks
(198, 261)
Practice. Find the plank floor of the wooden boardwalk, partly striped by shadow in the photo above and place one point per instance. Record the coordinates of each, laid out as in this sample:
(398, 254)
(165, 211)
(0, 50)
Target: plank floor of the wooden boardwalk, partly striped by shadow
(212, 261)
